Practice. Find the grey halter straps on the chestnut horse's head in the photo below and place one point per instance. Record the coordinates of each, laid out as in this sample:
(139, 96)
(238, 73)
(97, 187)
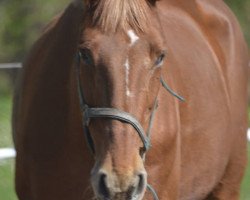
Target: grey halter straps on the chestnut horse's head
(89, 113)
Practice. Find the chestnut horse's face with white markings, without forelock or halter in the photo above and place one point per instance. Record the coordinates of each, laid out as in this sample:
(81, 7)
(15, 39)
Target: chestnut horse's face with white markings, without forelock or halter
(120, 70)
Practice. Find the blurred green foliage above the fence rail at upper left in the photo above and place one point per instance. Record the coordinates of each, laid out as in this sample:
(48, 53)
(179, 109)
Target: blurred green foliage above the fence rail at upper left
(21, 23)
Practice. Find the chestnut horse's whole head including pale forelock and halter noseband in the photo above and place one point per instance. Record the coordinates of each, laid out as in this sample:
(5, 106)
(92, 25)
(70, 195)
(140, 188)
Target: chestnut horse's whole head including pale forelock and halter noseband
(121, 53)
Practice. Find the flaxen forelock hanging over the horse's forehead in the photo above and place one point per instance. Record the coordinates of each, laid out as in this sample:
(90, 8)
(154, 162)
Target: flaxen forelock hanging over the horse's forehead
(111, 15)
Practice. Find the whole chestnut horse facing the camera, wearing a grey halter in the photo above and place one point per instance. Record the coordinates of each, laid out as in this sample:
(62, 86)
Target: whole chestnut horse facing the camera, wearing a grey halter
(93, 82)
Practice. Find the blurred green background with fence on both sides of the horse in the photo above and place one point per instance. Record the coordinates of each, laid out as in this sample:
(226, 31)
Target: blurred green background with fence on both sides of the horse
(20, 25)
